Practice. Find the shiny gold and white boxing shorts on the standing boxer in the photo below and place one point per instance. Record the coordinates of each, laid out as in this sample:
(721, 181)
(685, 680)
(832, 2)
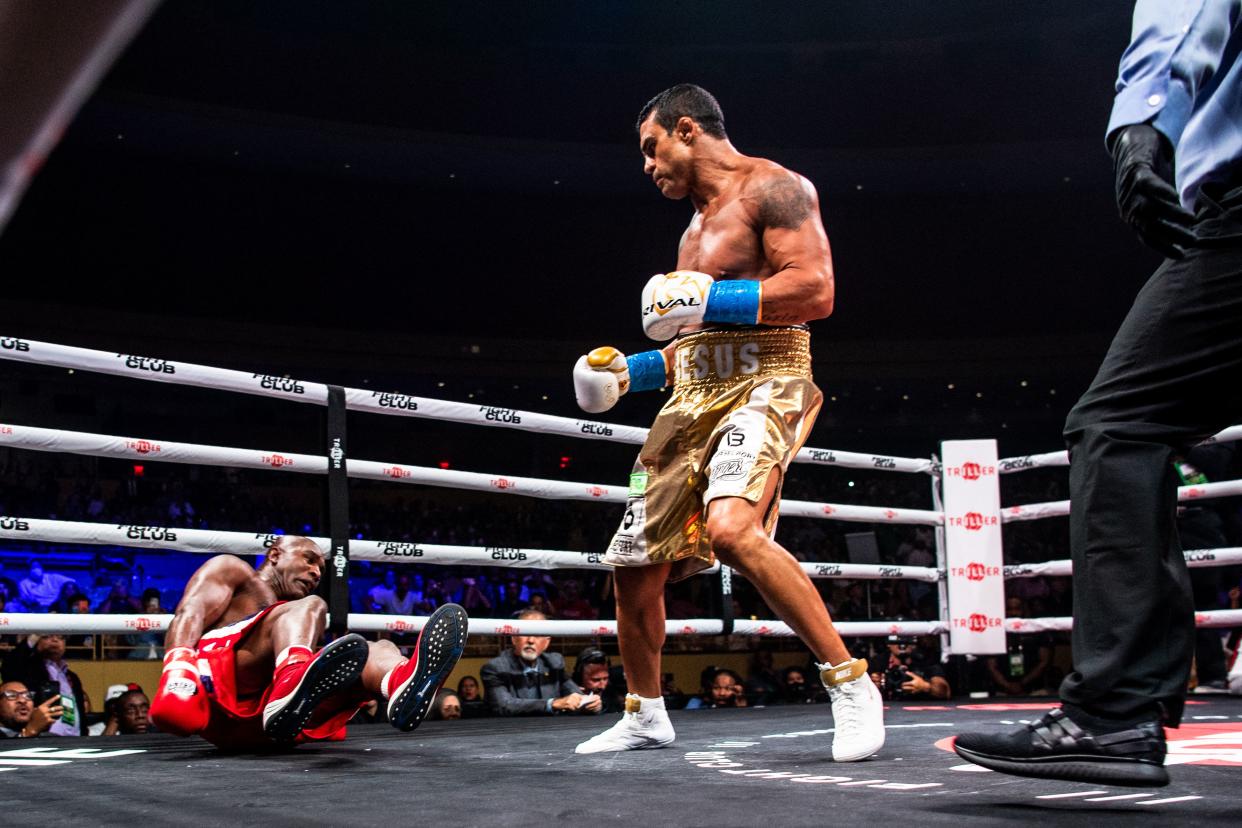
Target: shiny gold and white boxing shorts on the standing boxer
(743, 404)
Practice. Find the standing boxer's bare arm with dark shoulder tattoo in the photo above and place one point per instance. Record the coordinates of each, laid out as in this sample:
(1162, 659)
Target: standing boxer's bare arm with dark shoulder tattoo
(796, 248)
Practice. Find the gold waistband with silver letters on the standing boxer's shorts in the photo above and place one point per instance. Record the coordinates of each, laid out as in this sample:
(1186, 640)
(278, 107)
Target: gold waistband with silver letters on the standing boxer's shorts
(717, 359)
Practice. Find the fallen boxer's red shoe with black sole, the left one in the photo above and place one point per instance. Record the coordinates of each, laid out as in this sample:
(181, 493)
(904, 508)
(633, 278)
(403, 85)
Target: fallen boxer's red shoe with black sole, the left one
(299, 690)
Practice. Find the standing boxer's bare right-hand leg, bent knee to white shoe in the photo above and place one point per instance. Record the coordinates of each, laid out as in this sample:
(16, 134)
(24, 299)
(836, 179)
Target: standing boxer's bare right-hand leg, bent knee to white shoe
(738, 539)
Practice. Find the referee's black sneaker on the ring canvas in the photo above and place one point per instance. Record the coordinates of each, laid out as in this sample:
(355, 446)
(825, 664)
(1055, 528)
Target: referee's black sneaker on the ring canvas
(1056, 748)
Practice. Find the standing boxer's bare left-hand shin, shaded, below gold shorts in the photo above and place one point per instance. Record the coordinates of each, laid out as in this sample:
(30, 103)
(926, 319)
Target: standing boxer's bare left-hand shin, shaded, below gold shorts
(641, 625)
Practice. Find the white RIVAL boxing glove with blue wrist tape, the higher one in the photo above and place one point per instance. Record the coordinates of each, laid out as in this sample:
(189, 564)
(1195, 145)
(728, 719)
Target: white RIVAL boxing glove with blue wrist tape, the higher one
(673, 302)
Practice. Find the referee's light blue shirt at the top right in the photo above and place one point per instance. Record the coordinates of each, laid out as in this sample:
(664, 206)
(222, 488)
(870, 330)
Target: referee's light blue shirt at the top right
(1183, 75)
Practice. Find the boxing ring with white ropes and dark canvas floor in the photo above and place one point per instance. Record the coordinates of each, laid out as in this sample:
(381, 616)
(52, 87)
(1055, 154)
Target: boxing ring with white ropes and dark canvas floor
(476, 772)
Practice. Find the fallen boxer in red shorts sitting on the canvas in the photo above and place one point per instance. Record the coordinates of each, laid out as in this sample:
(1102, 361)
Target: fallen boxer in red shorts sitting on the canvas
(242, 672)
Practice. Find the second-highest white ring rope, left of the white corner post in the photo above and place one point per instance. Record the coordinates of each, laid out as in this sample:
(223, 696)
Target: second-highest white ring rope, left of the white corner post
(54, 440)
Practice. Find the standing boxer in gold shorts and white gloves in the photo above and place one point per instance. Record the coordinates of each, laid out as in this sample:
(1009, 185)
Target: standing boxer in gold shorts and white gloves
(753, 269)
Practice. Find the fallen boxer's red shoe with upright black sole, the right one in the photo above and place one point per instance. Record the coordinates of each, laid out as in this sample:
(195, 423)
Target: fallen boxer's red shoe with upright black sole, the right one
(413, 686)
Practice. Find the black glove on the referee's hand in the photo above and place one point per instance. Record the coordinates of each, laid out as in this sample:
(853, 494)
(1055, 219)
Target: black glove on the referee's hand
(1143, 163)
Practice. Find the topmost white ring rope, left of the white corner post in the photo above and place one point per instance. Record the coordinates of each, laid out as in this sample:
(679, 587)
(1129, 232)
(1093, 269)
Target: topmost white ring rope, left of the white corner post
(203, 377)
